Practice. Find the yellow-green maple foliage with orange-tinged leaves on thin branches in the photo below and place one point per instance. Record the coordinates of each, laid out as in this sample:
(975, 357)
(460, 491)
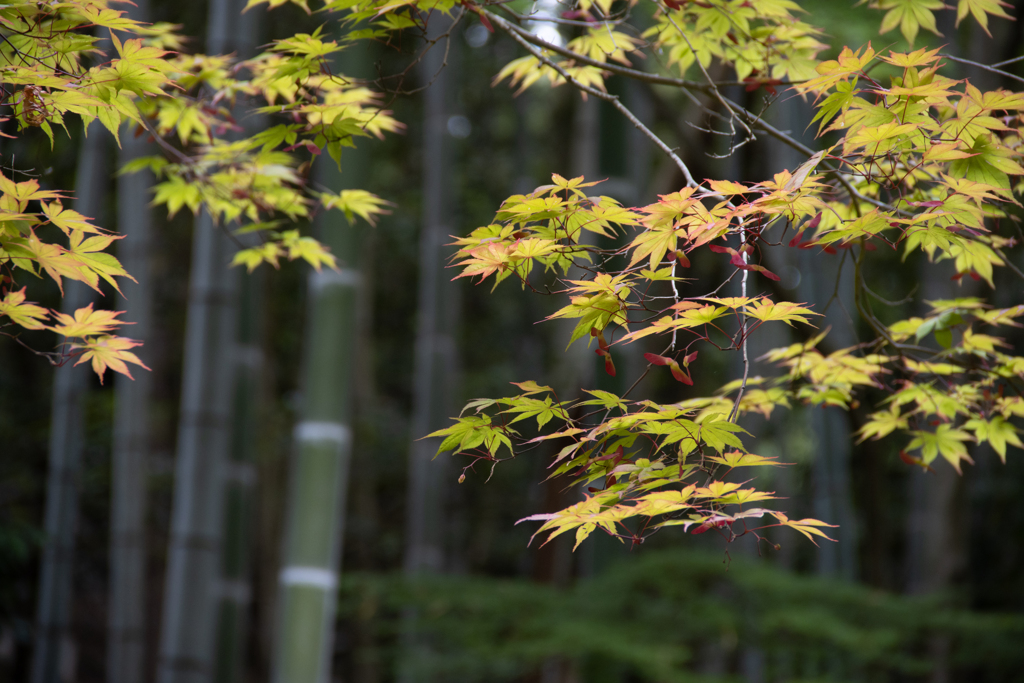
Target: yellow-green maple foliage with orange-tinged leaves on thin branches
(911, 161)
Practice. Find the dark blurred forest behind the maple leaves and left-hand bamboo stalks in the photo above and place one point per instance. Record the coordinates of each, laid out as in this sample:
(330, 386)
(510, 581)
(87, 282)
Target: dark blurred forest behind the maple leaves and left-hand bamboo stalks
(925, 583)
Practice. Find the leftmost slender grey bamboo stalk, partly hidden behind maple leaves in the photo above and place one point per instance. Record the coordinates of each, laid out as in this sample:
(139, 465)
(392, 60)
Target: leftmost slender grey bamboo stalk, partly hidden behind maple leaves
(54, 658)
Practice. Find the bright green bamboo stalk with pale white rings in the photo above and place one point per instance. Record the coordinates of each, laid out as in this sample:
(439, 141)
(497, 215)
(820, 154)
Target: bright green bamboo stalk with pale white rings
(319, 478)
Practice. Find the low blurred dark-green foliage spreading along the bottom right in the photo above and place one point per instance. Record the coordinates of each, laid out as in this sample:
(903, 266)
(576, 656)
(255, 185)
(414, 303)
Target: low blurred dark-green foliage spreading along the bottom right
(678, 616)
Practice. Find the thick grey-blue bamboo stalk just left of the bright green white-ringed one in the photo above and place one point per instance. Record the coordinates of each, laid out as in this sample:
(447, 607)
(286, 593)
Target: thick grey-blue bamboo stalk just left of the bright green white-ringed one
(189, 631)
